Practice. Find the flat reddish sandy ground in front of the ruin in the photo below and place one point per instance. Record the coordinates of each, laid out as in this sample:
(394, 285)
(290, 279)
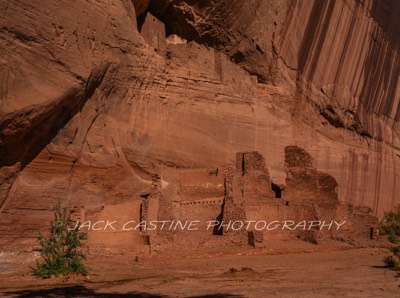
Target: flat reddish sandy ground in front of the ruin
(302, 270)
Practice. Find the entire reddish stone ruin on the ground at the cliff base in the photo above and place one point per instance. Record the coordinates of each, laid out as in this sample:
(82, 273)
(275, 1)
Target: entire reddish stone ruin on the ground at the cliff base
(246, 193)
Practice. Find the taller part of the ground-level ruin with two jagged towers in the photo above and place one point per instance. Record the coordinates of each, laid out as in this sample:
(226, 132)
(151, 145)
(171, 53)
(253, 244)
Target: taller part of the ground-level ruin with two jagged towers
(309, 195)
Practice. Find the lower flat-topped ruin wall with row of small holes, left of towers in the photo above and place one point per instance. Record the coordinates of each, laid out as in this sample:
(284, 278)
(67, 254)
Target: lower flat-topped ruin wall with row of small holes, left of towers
(184, 195)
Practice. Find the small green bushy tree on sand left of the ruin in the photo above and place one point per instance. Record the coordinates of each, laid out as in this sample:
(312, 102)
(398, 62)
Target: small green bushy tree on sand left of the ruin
(60, 249)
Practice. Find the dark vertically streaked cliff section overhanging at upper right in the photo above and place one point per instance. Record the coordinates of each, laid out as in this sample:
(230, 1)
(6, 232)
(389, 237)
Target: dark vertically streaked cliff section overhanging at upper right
(349, 51)
